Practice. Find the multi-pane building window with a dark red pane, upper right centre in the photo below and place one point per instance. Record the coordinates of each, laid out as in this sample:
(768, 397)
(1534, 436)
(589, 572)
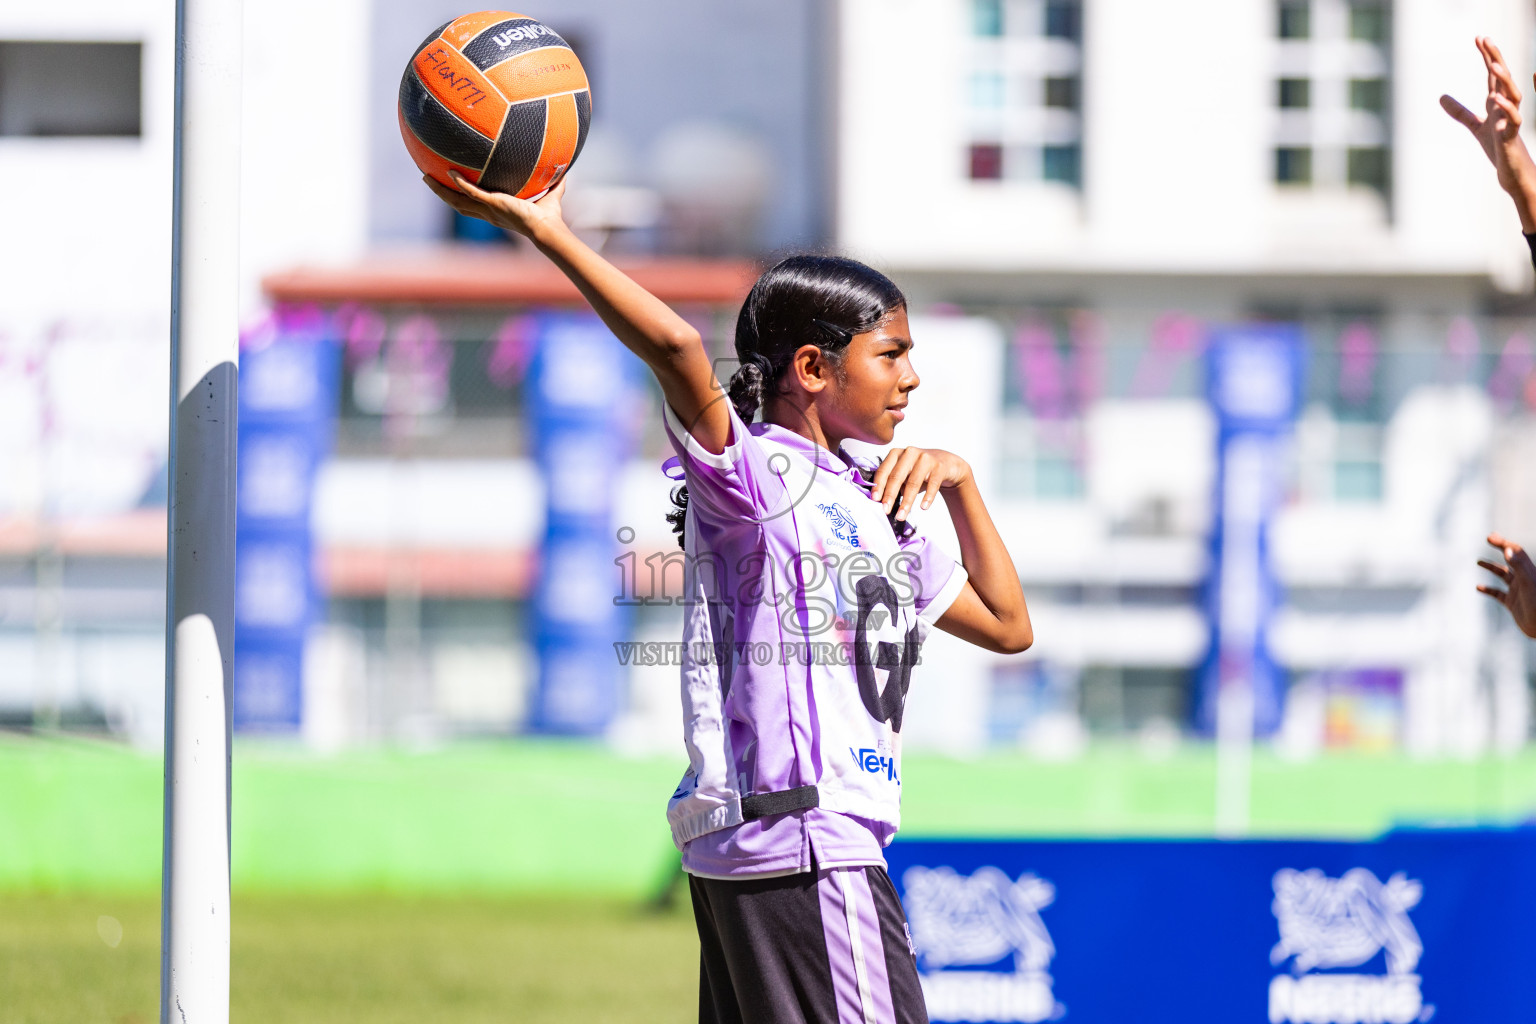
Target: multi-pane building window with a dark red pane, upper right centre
(1025, 91)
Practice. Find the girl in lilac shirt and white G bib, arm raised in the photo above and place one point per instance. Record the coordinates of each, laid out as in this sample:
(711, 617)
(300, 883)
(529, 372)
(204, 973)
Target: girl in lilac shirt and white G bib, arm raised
(810, 596)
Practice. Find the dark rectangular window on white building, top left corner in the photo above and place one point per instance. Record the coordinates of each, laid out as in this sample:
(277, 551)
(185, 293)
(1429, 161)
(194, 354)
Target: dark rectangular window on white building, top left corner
(71, 90)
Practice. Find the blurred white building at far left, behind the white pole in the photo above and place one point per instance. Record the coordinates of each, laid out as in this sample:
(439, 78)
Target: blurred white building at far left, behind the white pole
(87, 130)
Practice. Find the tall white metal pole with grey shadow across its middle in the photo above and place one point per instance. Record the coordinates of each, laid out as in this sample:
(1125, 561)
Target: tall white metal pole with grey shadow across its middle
(200, 580)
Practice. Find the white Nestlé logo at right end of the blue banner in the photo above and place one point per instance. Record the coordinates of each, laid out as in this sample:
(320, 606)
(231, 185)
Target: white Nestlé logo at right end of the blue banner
(1329, 923)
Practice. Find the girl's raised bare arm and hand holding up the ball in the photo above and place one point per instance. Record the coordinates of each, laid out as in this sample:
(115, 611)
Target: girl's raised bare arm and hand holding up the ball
(647, 326)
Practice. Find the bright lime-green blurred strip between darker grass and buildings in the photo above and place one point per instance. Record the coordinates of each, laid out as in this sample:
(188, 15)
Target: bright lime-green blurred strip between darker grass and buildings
(548, 819)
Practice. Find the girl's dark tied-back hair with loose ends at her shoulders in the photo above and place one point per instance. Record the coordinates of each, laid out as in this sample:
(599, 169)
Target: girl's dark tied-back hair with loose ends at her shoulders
(809, 300)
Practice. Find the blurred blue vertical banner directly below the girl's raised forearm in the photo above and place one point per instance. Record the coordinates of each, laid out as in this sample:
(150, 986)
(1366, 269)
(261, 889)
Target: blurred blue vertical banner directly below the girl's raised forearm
(581, 383)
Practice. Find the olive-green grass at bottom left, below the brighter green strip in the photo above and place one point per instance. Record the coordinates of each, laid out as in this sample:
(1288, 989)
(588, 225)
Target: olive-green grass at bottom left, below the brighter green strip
(362, 960)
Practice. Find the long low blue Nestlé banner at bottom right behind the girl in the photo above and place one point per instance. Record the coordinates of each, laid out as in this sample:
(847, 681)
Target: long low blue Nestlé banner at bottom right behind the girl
(1417, 927)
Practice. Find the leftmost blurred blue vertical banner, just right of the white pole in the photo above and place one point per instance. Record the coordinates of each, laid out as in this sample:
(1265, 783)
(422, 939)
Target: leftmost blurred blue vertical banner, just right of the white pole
(288, 408)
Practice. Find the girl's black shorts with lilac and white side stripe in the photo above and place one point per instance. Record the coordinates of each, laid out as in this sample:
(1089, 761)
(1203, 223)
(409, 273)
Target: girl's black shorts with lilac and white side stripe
(818, 948)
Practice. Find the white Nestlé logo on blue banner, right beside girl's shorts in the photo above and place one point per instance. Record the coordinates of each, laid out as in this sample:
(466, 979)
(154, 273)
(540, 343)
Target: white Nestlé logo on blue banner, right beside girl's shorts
(990, 927)
